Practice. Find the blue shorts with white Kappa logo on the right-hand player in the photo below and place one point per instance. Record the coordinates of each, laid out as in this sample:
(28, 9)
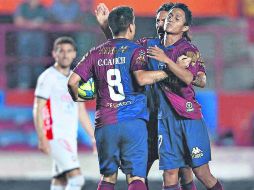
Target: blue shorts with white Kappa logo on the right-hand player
(182, 142)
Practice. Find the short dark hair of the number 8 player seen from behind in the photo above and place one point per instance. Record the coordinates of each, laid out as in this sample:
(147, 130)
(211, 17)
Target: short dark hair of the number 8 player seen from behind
(119, 19)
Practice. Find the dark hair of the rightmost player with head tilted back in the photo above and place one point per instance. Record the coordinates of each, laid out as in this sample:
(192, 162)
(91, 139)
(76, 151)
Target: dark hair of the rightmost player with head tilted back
(188, 17)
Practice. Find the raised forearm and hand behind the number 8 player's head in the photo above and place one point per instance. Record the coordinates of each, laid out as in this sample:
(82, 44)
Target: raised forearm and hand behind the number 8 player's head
(101, 13)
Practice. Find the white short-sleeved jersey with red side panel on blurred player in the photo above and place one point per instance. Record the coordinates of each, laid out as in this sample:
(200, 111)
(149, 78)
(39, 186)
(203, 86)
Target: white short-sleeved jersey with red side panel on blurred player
(60, 115)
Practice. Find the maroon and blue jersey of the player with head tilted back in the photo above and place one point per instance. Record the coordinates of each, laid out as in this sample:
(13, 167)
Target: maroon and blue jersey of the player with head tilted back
(180, 95)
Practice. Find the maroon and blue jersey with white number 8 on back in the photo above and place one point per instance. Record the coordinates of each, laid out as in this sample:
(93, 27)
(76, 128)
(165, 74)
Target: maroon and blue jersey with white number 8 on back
(112, 64)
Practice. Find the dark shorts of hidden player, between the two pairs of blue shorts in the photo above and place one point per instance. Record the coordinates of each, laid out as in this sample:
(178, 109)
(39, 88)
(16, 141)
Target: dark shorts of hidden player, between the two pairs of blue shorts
(152, 128)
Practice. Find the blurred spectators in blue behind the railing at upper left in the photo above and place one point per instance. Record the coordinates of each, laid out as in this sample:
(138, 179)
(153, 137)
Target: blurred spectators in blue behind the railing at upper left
(33, 40)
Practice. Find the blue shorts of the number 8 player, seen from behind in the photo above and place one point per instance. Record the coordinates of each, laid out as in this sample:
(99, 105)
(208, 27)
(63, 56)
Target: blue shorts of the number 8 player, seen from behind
(123, 145)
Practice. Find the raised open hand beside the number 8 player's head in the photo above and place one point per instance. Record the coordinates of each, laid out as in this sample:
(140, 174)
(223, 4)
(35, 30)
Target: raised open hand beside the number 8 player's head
(101, 13)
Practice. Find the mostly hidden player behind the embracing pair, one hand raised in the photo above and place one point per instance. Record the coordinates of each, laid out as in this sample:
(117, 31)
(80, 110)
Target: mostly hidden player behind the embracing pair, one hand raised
(152, 94)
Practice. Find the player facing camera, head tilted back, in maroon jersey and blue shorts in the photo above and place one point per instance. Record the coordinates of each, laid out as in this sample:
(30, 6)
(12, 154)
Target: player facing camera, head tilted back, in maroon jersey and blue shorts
(186, 141)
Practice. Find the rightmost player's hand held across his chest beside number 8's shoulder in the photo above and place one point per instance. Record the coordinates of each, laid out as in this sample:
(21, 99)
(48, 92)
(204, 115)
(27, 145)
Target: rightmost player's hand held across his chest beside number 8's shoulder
(158, 54)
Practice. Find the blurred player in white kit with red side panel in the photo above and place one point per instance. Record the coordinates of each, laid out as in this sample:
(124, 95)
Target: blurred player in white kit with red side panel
(56, 118)
